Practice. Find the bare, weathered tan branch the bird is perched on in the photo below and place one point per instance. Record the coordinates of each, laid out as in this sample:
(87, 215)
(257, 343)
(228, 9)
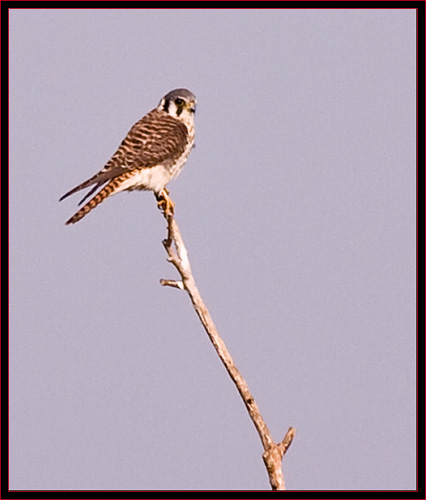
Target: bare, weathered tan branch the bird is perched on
(178, 256)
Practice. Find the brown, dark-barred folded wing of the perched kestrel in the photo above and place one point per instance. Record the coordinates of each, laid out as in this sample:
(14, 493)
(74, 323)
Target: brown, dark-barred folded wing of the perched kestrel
(155, 139)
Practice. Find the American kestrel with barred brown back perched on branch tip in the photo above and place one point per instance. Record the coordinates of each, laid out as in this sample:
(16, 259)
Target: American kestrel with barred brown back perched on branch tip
(151, 155)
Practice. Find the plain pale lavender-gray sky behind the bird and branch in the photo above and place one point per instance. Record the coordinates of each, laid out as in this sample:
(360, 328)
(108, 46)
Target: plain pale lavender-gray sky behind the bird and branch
(298, 209)
